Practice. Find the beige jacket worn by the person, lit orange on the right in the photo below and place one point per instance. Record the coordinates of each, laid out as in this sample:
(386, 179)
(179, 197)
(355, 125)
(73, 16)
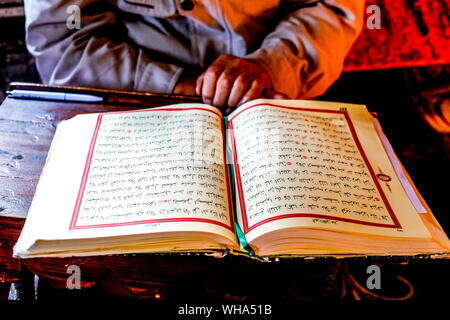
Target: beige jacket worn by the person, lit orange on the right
(144, 45)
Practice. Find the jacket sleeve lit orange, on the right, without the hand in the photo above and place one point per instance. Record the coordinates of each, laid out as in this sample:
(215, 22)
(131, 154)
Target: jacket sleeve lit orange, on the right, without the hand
(305, 53)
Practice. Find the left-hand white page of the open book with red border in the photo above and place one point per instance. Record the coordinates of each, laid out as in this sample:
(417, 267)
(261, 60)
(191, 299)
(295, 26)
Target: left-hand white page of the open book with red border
(152, 170)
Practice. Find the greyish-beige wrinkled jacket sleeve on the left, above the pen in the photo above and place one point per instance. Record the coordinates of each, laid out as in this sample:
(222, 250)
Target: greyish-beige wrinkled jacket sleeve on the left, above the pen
(96, 55)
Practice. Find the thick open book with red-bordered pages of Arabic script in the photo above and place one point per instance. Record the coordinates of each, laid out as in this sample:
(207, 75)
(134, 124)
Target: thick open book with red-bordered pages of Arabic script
(274, 178)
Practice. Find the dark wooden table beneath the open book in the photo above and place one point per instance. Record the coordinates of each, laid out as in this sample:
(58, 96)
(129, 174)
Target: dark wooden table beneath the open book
(26, 131)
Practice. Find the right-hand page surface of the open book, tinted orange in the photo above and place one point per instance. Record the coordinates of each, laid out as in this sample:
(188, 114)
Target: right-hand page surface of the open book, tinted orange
(319, 165)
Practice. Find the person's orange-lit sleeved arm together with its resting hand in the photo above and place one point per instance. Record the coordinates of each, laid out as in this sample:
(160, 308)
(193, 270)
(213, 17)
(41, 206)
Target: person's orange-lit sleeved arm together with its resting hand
(300, 58)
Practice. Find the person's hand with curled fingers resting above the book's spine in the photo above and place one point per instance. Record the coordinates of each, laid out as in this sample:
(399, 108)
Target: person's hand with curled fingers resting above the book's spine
(232, 81)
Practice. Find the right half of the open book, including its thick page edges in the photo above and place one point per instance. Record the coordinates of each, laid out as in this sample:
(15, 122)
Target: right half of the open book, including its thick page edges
(315, 178)
